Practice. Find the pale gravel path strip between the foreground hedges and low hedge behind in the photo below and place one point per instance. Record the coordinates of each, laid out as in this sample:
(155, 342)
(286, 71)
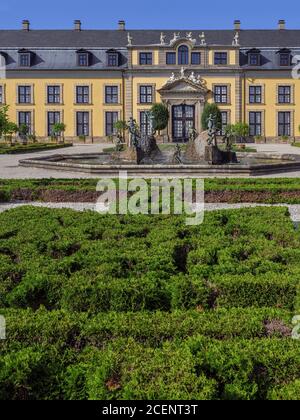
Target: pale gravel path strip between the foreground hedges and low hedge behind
(293, 209)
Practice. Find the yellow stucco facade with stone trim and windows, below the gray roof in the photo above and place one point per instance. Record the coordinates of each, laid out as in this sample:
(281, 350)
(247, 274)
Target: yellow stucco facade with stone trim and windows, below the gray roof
(265, 99)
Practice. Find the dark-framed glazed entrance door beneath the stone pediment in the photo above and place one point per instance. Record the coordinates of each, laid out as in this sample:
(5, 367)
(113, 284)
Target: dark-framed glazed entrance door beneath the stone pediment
(183, 120)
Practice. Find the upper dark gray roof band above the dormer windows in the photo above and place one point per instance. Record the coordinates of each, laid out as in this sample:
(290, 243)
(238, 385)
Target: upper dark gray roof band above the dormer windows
(118, 39)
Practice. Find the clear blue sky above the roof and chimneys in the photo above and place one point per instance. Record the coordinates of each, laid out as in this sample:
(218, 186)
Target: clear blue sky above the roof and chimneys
(156, 14)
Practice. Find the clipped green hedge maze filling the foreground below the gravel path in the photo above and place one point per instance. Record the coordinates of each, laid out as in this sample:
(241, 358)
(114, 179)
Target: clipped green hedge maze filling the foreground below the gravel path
(144, 307)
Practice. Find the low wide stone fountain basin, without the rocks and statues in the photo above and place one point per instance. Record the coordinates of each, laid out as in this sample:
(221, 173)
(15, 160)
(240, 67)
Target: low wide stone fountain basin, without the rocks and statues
(250, 164)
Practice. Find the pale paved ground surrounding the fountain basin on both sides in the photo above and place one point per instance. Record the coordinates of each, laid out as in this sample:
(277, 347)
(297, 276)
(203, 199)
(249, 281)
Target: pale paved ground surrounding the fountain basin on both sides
(10, 169)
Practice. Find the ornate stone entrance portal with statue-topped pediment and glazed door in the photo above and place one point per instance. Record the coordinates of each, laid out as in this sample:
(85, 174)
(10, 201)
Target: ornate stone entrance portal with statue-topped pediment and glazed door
(185, 96)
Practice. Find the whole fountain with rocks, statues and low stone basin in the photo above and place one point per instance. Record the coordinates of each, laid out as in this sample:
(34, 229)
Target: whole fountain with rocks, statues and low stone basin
(143, 157)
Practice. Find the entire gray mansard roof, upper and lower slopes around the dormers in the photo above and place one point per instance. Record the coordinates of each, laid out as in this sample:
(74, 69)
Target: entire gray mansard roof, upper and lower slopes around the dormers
(56, 49)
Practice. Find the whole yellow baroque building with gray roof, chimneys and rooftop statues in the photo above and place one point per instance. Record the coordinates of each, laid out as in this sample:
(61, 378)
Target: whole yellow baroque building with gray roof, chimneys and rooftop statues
(89, 79)
